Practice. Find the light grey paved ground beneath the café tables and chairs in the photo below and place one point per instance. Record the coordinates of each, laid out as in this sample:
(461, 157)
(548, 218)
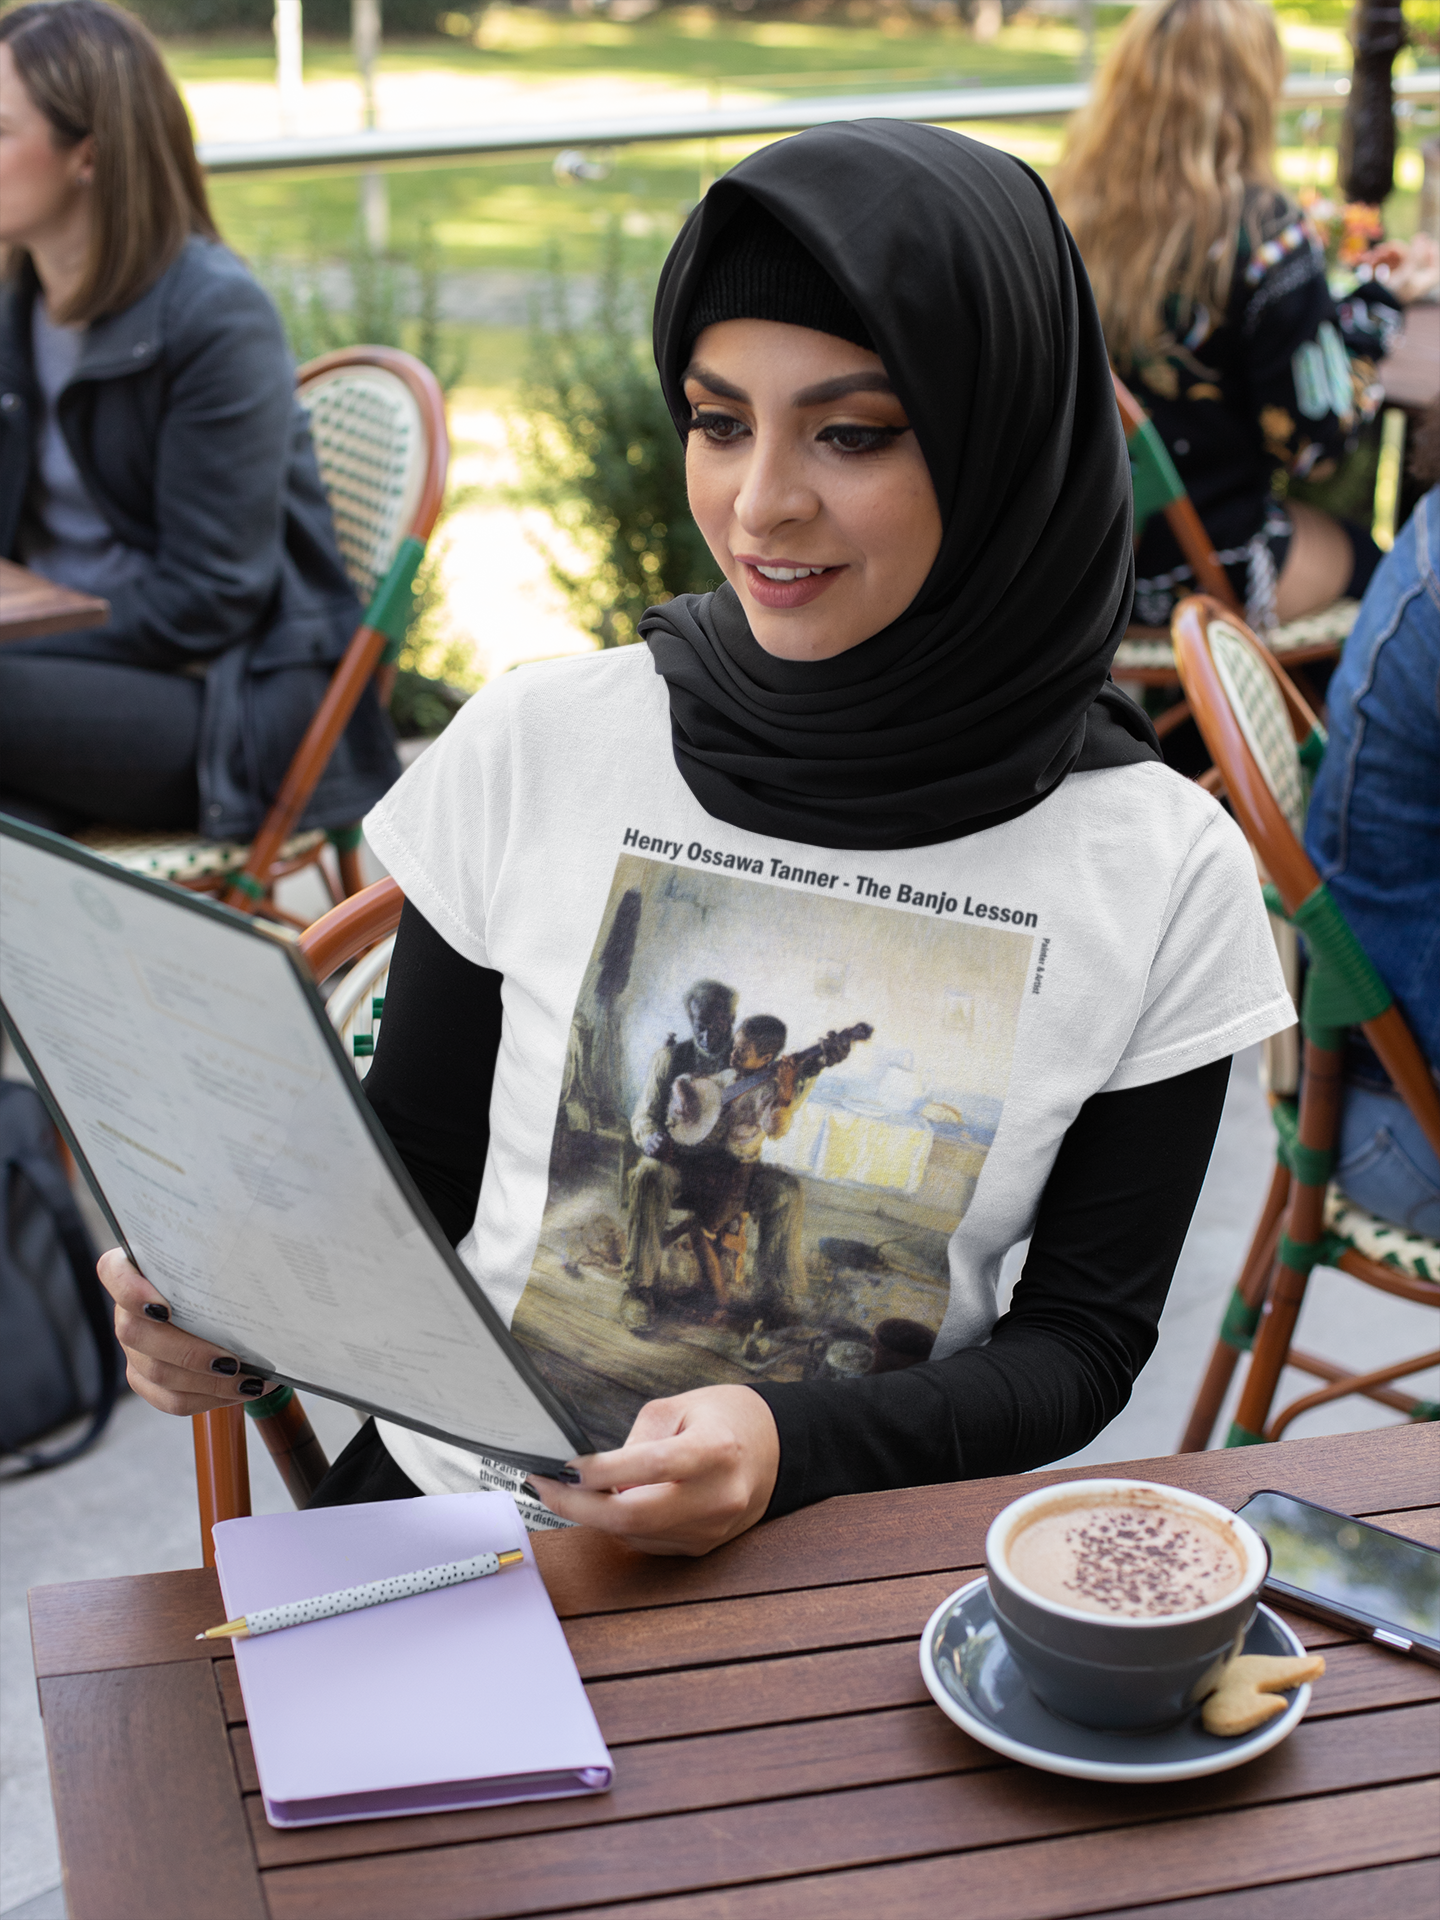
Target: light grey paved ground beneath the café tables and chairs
(130, 1506)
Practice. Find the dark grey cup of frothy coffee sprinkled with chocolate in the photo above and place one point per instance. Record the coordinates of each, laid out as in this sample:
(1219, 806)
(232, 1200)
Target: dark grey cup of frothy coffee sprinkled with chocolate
(1120, 1600)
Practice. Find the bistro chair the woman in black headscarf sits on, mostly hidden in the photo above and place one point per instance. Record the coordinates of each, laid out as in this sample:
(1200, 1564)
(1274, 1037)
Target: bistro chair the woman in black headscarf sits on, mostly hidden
(348, 932)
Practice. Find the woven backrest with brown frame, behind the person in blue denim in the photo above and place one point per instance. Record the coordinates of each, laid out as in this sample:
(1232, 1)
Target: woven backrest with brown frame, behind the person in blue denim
(1255, 723)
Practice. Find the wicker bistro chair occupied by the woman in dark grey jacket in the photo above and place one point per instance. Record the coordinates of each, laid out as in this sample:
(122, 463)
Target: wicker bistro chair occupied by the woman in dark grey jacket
(379, 427)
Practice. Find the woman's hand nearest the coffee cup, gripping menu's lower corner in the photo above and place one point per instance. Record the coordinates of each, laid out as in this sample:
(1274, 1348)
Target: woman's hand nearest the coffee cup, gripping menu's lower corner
(696, 1472)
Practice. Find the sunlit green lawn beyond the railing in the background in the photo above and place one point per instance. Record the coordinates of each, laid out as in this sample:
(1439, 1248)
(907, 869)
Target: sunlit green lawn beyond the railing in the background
(512, 214)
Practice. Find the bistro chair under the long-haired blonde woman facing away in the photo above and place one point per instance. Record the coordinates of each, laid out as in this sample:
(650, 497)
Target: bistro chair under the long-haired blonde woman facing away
(1147, 656)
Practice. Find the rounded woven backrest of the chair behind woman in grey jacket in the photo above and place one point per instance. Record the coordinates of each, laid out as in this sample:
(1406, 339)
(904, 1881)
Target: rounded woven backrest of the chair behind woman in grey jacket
(379, 429)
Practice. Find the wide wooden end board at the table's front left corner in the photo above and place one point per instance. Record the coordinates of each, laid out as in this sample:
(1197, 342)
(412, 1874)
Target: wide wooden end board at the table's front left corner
(147, 1802)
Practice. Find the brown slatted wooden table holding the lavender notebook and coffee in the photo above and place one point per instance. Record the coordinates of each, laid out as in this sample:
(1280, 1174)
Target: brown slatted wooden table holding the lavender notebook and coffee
(777, 1752)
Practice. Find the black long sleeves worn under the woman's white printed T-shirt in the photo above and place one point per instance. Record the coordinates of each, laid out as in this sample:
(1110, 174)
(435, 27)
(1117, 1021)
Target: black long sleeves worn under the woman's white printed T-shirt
(1059, 1366)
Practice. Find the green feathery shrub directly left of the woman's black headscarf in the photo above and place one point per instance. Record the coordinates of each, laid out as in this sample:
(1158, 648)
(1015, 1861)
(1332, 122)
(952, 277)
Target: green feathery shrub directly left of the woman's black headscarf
(598, 450)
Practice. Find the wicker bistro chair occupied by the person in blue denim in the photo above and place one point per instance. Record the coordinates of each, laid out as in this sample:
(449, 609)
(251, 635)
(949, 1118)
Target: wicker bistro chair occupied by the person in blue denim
(1266, 742)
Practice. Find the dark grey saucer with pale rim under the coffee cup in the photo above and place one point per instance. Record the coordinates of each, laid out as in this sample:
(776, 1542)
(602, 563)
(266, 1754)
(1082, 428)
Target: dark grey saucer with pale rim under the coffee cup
(974, 1681)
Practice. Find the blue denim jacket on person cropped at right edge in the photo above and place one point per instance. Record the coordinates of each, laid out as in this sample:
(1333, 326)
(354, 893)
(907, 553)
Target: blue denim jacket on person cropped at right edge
(1374, 828)
